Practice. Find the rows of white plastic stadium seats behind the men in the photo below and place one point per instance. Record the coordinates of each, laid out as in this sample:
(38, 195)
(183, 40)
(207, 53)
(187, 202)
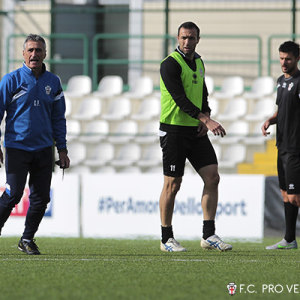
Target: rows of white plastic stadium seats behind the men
(105, 126)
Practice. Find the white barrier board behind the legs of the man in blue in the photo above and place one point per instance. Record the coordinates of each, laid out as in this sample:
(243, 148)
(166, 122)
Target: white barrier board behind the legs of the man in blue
(62, 214)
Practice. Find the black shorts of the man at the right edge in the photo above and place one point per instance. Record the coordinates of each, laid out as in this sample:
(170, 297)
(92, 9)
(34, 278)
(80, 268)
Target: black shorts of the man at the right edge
(288, 167)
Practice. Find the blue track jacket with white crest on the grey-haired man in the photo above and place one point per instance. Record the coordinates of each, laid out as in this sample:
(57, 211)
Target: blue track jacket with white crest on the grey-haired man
(35, 110)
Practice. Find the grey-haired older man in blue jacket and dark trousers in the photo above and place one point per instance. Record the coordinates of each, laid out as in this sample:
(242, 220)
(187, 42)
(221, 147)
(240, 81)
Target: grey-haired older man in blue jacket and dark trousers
(35, 119)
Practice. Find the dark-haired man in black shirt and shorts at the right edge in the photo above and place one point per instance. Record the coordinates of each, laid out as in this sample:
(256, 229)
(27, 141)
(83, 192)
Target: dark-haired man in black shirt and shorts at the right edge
(287, 119)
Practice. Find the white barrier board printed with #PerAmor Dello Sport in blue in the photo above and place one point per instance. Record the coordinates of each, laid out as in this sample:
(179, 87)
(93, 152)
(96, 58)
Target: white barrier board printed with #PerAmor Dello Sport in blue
(126, 205)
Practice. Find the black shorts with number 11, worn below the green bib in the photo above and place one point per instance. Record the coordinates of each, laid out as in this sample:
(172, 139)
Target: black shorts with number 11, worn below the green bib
(177, 147)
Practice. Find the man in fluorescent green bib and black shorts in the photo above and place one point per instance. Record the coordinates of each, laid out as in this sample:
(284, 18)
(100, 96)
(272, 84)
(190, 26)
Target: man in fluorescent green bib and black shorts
(184, 122)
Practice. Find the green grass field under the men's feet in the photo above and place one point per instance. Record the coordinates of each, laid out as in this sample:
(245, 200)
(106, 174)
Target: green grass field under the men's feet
(136, 269)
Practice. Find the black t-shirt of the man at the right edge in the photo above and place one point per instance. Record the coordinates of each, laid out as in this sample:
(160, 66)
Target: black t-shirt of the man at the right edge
(288, 118)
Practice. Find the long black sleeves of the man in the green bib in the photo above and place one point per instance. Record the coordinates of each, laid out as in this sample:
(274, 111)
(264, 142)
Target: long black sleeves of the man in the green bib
(170, 72)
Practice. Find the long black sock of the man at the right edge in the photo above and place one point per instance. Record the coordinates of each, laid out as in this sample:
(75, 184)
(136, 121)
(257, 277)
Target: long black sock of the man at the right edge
(291, 214)
